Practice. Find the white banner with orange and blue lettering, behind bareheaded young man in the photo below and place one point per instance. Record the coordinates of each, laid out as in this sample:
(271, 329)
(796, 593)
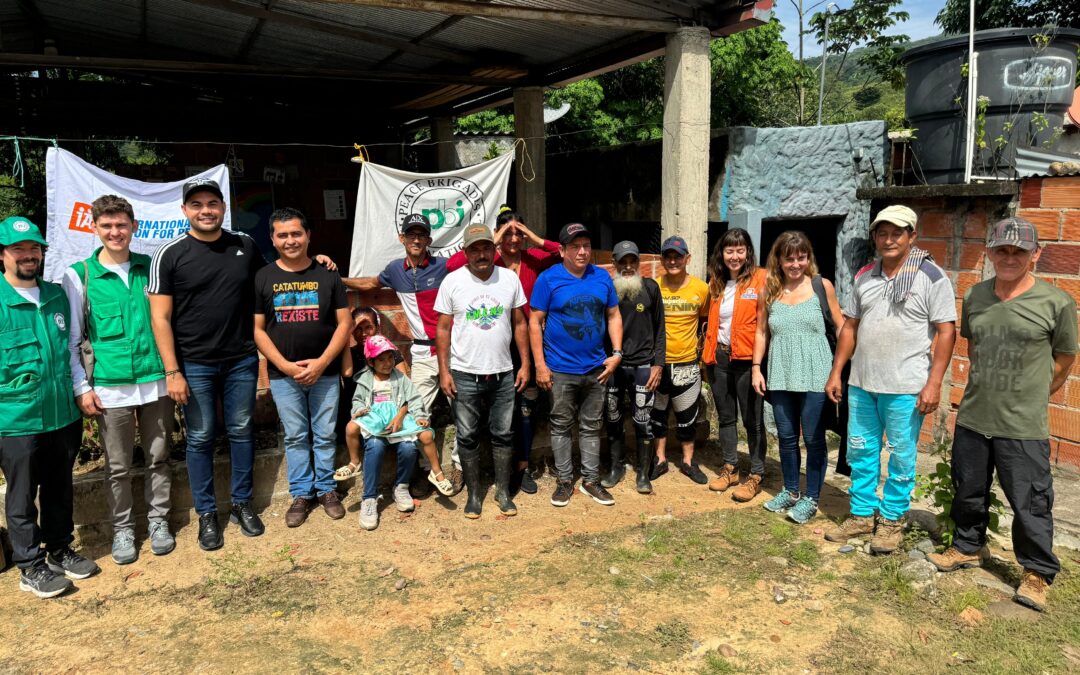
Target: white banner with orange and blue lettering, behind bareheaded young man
(72, 185)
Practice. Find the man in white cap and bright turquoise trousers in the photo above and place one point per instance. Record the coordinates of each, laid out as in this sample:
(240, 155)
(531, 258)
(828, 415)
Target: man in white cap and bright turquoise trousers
(901, 305)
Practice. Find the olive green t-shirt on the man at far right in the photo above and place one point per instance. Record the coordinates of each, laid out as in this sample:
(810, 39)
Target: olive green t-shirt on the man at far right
(1012, 346)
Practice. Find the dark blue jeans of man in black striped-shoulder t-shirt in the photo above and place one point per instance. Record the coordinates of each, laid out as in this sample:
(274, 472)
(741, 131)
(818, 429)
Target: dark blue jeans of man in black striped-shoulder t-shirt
(237, 381)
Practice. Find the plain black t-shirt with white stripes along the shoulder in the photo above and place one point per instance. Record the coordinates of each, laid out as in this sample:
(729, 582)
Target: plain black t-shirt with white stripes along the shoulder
(211, 285)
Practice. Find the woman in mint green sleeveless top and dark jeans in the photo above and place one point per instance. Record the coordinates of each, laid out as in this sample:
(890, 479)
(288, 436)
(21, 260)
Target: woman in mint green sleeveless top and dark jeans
(791, 327)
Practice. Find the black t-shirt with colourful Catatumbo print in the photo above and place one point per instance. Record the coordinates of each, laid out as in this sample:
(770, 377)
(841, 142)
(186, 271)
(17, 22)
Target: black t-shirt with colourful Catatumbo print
(301, 312)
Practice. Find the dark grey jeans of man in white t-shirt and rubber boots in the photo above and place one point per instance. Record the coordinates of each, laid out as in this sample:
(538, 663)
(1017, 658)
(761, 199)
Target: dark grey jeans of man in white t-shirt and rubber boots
(491, 395)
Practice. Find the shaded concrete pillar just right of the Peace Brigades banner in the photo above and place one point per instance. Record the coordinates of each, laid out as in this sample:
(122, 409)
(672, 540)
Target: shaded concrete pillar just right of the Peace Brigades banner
(532, 198)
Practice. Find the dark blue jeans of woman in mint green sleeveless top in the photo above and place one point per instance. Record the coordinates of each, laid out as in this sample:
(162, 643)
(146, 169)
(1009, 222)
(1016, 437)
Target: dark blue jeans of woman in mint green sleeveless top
(795, 410)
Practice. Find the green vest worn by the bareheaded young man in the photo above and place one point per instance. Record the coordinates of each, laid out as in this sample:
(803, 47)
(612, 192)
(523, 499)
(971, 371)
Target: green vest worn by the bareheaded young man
(119, 327)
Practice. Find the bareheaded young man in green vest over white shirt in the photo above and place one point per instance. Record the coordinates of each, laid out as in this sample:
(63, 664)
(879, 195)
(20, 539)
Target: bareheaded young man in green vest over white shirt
(107, 298)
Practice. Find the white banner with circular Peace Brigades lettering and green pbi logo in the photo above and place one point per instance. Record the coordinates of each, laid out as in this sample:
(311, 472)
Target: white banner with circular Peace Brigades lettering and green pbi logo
(450, 200)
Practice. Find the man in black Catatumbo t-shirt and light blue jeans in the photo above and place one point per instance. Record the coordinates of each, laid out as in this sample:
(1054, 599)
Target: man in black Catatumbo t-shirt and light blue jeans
(302, 325)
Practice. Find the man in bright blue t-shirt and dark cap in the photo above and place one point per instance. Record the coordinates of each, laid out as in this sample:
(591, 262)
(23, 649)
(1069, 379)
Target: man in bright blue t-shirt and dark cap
(574, 305)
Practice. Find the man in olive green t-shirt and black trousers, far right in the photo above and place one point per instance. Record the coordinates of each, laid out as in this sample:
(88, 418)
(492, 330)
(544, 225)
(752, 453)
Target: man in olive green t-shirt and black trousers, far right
(1022, 341)
